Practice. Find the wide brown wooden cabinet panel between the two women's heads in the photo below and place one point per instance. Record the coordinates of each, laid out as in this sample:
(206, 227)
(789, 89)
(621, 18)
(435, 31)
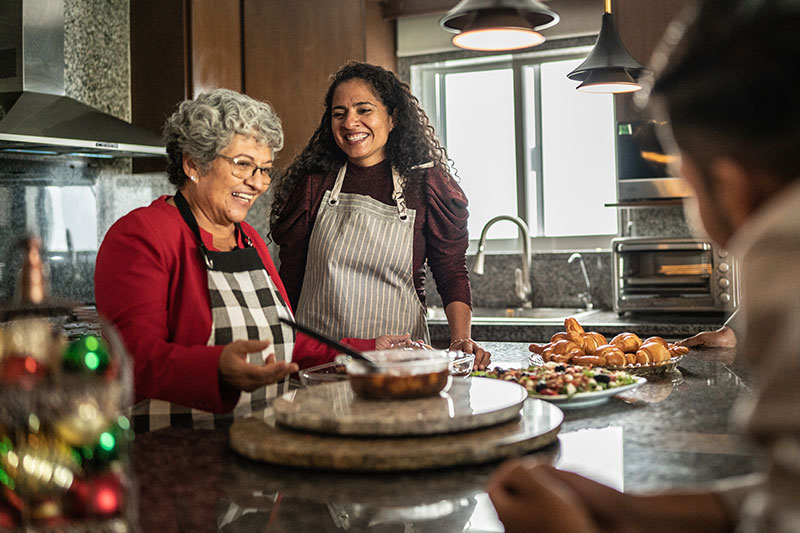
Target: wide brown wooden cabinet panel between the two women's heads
(290, 51)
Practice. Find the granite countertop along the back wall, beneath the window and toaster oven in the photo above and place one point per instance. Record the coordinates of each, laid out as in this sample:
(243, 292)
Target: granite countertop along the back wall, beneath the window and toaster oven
(671, 326)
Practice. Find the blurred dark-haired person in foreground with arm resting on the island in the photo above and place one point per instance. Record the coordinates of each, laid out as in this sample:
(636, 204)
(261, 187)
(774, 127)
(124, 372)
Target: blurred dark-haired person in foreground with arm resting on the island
(736, 123)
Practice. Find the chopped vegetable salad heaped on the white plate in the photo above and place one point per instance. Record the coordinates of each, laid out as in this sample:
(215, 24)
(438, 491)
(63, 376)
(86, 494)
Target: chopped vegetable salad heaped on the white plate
(555, 379)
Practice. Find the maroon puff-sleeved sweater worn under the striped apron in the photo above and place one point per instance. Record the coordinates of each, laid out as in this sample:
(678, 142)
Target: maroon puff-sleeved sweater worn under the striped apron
(440, 227)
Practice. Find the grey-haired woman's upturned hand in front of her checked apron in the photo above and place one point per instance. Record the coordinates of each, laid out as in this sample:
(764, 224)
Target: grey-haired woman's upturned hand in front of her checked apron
(241, 375)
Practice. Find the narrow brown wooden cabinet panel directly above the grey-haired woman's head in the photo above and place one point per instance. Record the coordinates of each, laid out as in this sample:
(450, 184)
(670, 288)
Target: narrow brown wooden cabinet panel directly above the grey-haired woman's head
(216, 36)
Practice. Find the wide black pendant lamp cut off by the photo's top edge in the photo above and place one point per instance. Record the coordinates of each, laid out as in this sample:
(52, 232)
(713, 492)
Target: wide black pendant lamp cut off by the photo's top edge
(494, 25)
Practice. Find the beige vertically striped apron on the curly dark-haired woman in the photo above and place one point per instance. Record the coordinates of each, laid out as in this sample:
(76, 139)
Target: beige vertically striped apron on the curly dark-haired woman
(359, 271)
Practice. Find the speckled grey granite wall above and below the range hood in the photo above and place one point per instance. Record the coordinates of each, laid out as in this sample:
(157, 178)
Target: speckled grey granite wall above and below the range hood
(45, 195)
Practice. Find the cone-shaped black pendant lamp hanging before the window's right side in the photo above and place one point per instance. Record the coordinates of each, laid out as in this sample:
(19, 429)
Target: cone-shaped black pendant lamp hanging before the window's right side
(609, 68)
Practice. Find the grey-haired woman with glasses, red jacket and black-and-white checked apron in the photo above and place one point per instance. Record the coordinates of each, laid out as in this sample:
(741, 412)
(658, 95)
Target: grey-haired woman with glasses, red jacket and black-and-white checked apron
(191, 286)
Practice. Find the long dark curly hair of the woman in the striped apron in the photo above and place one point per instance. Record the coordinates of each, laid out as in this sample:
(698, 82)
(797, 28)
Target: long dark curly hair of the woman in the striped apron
(411, 142)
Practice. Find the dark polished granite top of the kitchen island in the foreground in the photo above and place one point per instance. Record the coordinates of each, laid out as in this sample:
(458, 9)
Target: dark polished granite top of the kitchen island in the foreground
(671, 432)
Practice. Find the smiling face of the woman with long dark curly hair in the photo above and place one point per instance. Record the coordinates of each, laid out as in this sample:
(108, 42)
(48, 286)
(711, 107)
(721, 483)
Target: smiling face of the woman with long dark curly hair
(360, 123)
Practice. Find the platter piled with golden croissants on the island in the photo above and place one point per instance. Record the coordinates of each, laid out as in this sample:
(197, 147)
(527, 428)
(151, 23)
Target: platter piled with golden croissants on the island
(626, 351)
